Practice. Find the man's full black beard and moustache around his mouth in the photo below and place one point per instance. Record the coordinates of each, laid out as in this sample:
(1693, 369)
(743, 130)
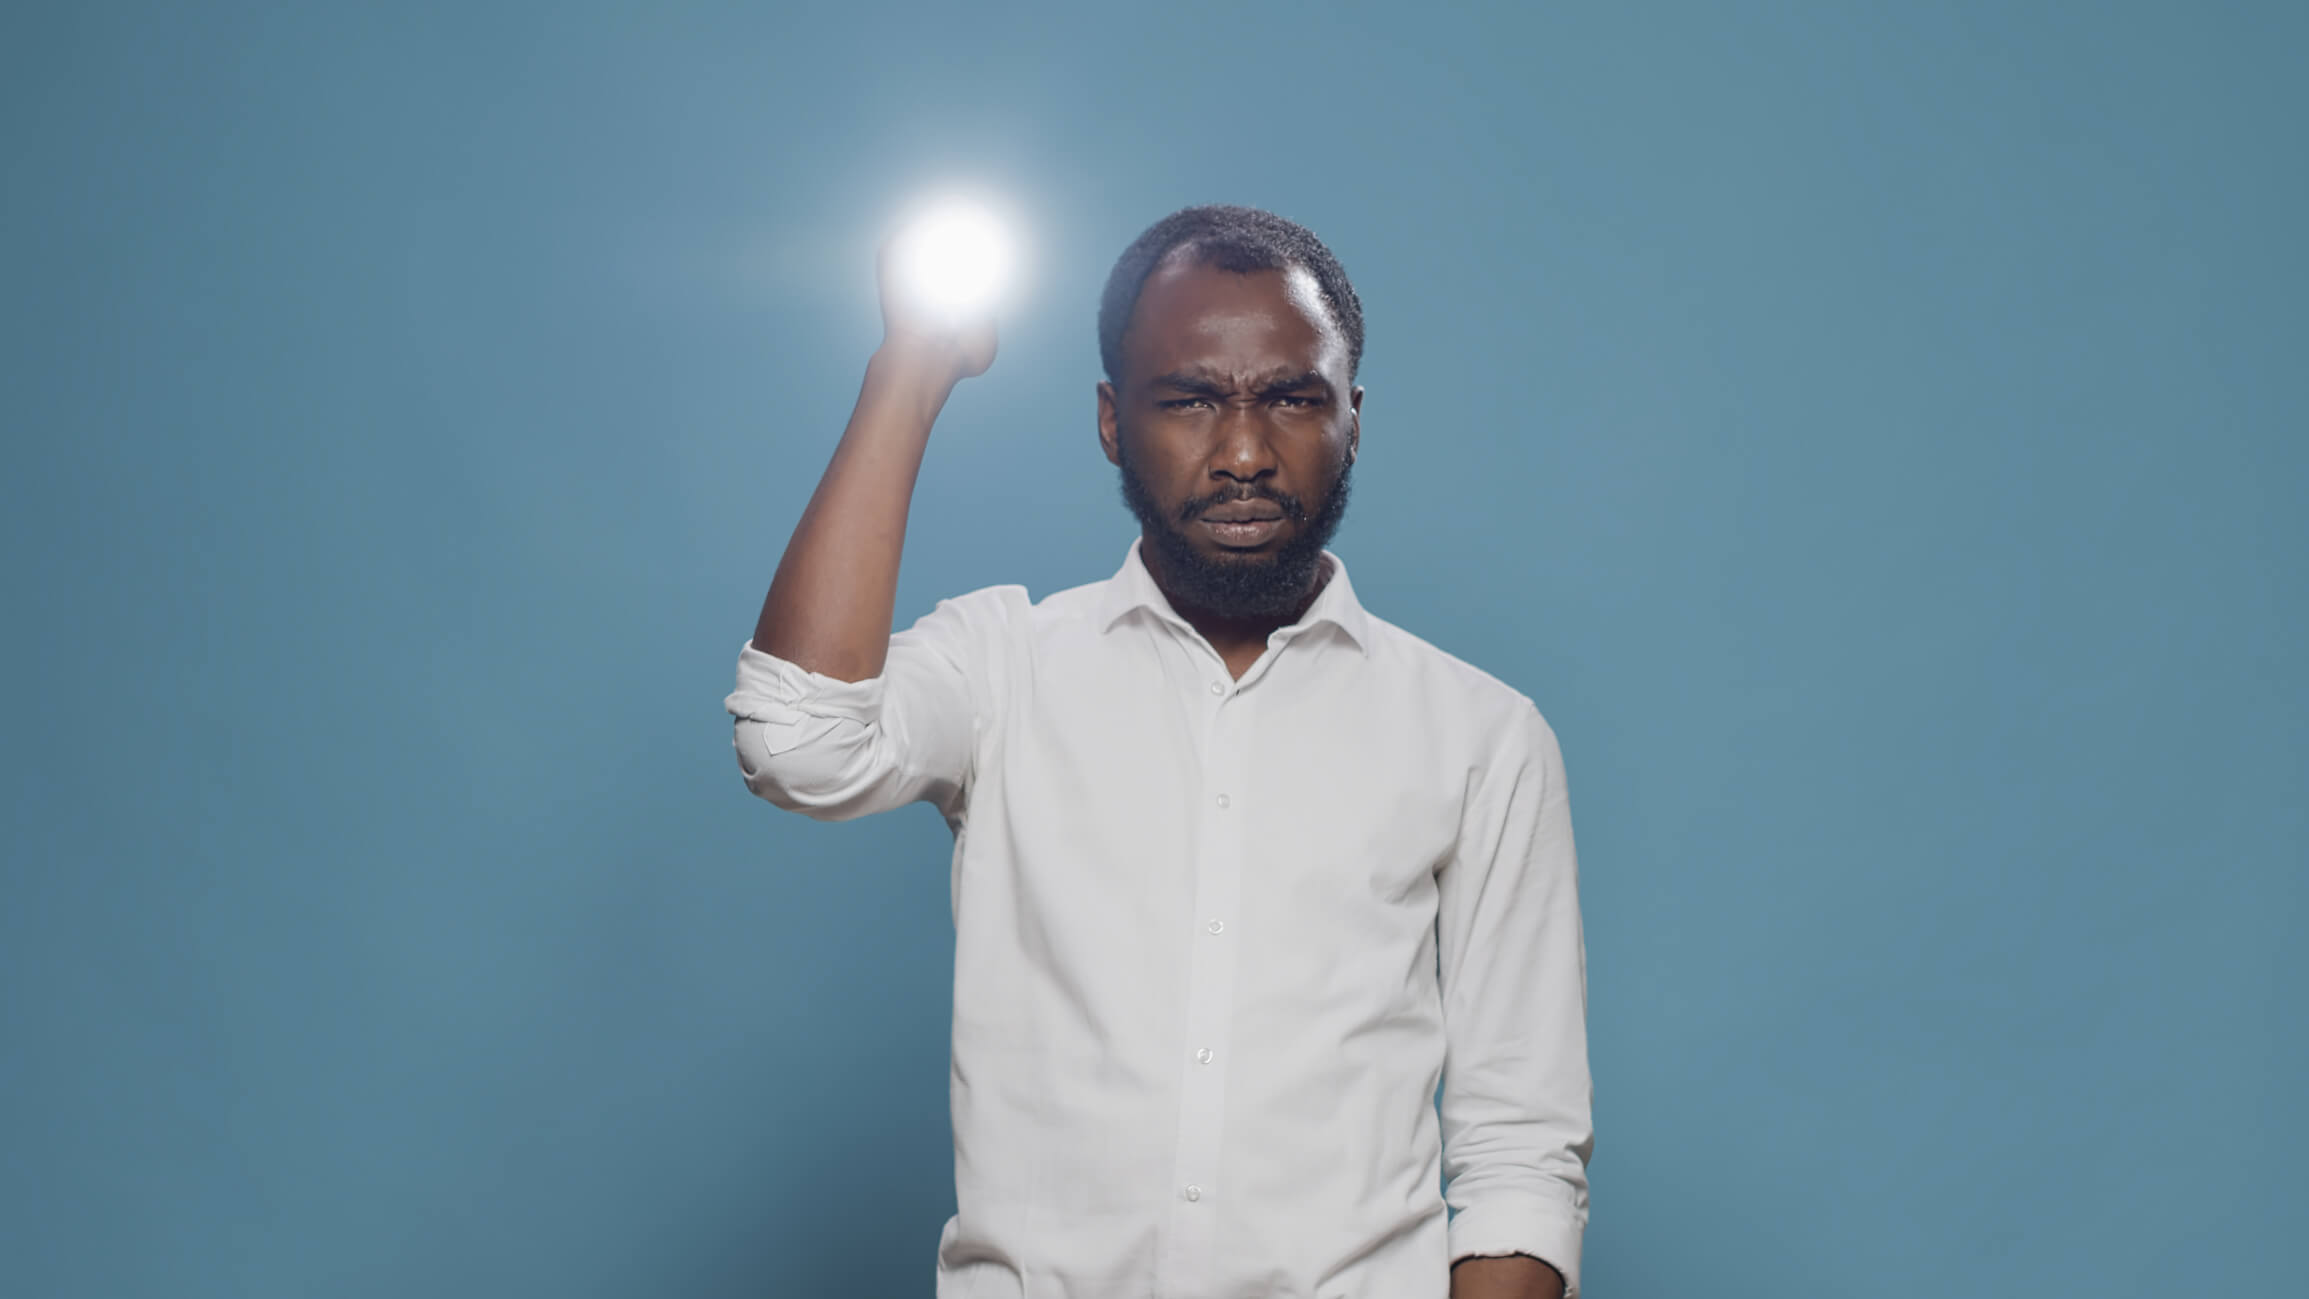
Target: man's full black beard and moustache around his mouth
(1239, 585)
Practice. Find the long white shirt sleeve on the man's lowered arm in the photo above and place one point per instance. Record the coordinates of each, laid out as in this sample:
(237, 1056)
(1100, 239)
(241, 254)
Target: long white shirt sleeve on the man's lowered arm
(1516, 1109)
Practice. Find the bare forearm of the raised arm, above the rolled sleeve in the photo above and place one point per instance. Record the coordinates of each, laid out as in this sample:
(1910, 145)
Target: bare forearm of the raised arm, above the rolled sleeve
(837, 587)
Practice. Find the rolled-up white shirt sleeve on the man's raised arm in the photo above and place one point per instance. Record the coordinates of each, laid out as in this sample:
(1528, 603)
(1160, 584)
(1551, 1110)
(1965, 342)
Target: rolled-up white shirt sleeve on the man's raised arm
(849, 749)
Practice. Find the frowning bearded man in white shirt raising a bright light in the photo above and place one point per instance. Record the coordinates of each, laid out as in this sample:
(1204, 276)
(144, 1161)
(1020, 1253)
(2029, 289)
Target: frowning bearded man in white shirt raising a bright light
(1241, 871)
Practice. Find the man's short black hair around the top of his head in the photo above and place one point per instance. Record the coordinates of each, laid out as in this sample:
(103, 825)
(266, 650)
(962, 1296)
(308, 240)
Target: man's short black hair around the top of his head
(1230, 239)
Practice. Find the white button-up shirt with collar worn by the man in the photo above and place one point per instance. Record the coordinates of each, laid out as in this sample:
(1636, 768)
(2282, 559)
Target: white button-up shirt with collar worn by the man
(1218, 943)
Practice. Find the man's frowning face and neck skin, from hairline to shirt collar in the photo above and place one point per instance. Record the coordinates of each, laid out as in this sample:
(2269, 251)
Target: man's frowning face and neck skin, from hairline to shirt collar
(1234, 389)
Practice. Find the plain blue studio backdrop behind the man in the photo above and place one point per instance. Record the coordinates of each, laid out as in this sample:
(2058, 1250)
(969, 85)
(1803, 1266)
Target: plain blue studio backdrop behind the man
(1876, 437)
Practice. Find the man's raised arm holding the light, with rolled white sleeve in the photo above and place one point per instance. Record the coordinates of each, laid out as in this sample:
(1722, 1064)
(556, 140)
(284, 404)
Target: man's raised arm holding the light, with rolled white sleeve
(828, 721)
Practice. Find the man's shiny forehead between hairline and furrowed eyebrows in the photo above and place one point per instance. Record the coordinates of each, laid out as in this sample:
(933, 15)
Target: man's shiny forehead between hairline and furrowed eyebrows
(1200, 317)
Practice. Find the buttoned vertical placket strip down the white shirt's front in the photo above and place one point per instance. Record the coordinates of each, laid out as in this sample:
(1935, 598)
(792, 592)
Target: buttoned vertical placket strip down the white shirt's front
(1197, 1187)
